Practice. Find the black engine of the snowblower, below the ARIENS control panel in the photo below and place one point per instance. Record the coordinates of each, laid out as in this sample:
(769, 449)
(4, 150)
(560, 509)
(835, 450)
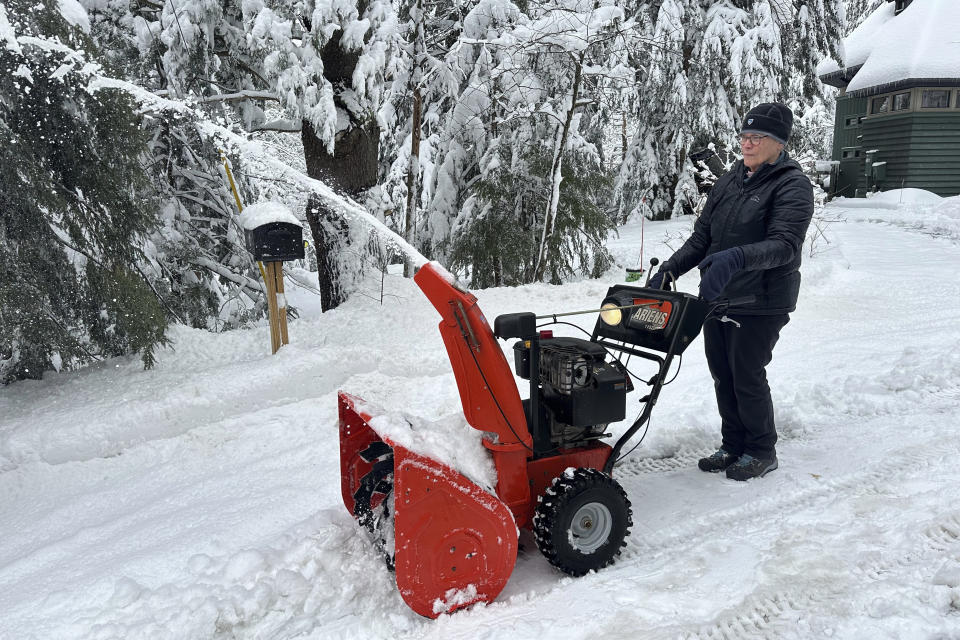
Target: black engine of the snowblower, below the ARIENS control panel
(581, 393)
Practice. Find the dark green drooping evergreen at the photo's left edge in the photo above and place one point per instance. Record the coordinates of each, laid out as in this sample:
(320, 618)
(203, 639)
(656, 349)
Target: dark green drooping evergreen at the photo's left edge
(76, 205)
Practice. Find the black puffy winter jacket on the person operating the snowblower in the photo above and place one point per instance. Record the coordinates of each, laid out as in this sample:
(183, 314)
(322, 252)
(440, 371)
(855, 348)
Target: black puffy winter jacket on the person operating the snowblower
(766, 216)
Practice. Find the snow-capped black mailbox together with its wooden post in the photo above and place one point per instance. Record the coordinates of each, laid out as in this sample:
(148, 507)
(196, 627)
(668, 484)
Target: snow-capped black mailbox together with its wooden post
(273, 235)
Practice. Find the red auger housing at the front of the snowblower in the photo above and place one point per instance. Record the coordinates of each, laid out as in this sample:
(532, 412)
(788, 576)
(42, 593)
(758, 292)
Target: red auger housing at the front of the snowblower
(454, 544)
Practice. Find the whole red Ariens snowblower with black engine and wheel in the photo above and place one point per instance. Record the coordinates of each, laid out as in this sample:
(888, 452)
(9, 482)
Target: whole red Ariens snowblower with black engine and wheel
(450, 542)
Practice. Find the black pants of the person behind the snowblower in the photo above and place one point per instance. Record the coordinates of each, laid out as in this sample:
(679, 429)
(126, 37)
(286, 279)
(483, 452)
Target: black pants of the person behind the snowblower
(738, 358)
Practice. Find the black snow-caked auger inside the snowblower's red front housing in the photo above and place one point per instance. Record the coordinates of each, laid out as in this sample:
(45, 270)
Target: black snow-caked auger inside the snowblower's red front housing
(377, 520)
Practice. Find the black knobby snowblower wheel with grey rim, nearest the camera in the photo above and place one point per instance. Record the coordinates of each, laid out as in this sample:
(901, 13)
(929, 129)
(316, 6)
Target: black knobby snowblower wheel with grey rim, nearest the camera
(603, 517)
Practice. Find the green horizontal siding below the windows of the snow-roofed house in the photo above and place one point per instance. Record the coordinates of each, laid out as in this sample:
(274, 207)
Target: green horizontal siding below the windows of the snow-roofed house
(922, 150)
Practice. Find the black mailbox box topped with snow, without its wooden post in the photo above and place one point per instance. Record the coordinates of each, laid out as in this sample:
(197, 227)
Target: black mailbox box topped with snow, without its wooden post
(272, 233)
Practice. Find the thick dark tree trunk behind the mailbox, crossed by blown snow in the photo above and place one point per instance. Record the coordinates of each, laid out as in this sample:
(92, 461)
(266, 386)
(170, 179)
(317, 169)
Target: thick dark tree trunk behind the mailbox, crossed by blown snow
(350, 170)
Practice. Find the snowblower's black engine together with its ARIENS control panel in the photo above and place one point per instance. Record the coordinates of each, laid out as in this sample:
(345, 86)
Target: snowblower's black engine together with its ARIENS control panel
(580, 386)
